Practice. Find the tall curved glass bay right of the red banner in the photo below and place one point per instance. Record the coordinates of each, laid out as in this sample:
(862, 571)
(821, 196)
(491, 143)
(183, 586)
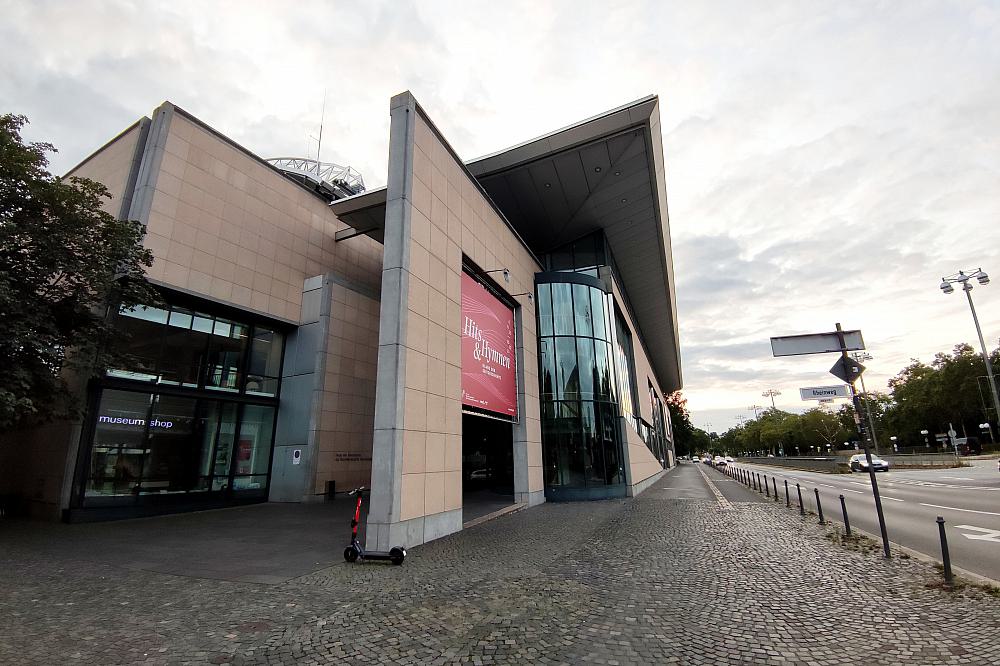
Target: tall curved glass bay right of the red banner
(581, 441)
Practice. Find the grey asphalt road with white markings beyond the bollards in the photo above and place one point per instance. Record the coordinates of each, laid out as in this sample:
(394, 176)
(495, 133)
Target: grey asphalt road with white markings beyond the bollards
(966, 497)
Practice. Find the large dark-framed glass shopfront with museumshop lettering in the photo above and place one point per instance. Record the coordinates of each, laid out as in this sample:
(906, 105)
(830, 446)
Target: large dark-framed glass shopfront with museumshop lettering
(189, 417)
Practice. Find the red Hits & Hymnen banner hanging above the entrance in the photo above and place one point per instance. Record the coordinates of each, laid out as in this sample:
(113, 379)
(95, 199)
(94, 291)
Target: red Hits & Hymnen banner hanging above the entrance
(489, 379)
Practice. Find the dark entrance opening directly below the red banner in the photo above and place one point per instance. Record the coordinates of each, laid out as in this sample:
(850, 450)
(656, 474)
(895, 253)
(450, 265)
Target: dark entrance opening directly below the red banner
(487, 465)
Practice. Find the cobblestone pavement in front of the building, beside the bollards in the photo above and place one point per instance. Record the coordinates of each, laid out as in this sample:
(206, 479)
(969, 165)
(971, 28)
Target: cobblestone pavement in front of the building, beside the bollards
(657, 579)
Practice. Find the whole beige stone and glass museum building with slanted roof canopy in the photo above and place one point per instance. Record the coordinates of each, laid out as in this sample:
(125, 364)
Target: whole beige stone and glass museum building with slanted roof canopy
(474, 336)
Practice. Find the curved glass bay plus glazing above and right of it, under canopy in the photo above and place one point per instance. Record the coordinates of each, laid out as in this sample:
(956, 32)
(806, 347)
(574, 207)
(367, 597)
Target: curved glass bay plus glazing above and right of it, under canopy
(588, 380)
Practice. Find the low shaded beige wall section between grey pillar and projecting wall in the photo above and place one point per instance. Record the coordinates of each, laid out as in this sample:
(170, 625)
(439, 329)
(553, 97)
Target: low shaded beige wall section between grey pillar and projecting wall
(344, 426)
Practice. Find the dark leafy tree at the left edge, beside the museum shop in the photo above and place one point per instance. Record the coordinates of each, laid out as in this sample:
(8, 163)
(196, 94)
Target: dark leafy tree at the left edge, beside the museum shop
(63, 262)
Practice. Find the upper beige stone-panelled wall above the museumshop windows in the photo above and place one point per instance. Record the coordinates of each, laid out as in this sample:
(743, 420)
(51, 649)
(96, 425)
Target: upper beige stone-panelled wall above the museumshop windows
(224, 224)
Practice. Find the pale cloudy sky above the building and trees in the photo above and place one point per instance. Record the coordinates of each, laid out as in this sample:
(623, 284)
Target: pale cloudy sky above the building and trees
(827, 161)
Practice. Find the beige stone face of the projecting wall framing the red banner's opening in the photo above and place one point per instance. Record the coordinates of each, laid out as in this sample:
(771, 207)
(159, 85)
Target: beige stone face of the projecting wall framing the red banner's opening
(451, 217)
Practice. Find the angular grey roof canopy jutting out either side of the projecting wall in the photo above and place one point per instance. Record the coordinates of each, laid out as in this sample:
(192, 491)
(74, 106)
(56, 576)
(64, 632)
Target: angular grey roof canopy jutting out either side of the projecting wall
(604, 173)
